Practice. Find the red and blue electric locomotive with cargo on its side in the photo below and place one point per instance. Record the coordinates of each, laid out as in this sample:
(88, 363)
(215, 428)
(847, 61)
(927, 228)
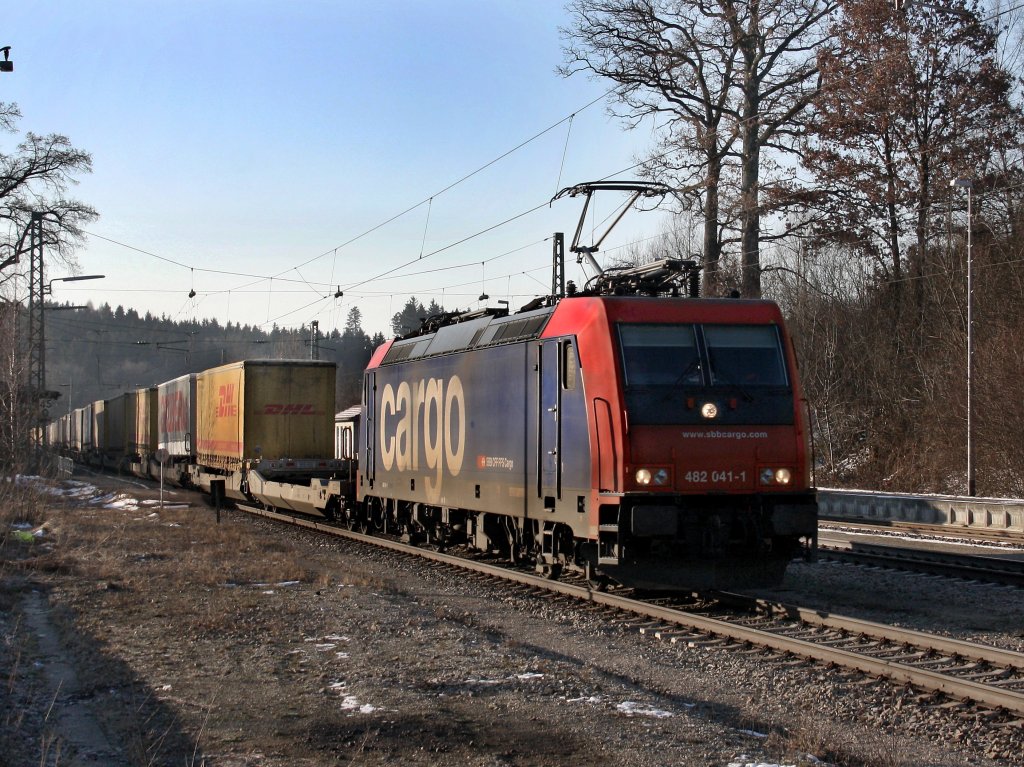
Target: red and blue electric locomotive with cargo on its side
(631, 432)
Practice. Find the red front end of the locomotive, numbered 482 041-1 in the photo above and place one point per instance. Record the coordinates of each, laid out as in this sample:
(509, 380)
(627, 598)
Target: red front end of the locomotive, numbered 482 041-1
(699, 445)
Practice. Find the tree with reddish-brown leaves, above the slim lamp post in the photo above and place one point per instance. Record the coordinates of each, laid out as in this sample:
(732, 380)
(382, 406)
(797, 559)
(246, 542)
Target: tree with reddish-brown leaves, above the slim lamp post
(909, 102)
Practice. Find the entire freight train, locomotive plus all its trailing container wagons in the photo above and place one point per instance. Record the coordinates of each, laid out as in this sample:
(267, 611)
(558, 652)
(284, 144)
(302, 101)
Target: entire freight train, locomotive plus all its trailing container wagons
(630, 432)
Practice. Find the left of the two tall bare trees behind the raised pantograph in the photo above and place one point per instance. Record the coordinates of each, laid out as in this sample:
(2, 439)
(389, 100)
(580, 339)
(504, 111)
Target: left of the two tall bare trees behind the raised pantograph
(679, 68)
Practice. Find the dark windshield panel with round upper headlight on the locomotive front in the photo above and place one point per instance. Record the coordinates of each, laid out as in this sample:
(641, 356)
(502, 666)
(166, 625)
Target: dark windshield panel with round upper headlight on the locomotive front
(670, 371)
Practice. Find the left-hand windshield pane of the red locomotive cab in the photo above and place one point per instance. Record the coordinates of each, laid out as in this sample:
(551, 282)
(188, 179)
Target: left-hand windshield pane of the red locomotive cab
(660, 355)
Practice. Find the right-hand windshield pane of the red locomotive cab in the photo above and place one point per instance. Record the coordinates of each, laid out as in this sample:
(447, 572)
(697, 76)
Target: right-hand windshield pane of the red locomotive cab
(745, 356)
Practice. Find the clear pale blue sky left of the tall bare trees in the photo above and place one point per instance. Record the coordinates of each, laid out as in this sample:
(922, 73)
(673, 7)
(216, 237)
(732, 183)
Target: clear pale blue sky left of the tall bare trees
(258, 138)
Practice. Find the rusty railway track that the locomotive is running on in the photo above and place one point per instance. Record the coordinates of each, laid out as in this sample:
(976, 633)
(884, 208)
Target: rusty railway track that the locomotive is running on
(935, 666)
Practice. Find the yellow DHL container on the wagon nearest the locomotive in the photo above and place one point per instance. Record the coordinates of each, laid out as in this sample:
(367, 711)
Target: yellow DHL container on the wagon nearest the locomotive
(265, 409)
